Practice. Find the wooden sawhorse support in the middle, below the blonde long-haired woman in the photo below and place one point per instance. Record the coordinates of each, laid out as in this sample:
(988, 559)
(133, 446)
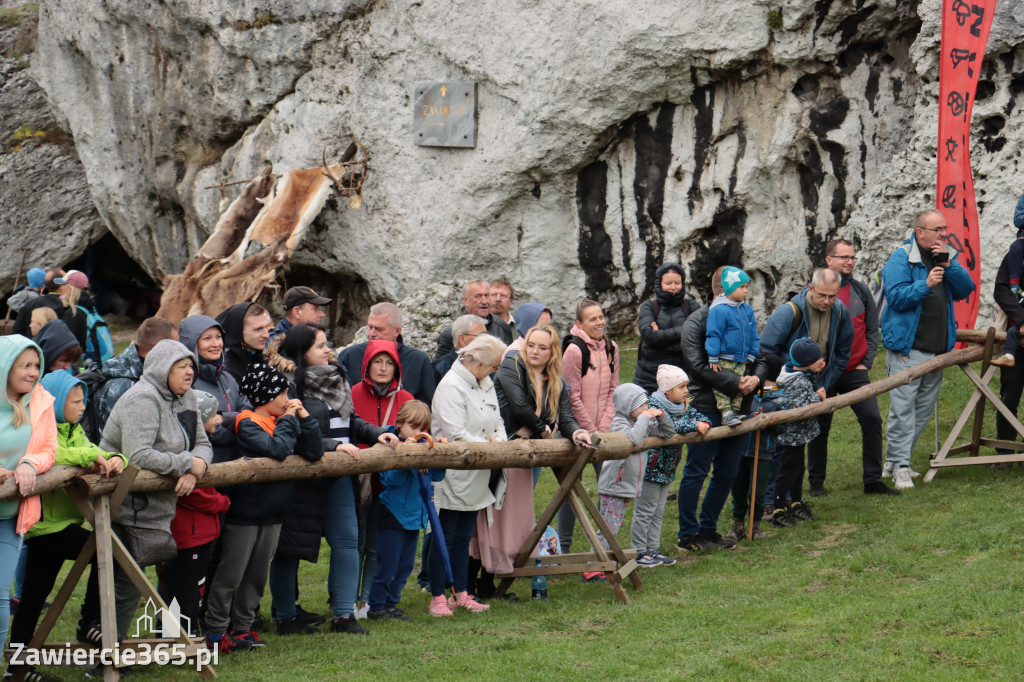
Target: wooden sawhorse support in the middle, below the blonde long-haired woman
(618, 567)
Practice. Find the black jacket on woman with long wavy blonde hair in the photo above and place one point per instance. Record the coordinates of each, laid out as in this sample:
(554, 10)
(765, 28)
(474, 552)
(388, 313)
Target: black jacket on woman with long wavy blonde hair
(519, 403)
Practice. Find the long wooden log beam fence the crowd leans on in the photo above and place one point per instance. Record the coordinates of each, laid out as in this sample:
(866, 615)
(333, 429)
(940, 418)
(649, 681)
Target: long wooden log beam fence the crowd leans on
(514, 454)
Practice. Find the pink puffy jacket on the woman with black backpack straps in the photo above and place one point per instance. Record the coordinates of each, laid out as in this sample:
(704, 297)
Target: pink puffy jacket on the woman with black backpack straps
(591, 394)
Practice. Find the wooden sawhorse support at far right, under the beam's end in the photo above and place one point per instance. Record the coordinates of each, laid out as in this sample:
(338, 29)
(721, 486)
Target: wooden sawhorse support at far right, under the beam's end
(976, 407)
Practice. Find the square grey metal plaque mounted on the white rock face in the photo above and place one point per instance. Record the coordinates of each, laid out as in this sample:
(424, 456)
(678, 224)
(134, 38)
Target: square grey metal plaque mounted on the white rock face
(445, 115)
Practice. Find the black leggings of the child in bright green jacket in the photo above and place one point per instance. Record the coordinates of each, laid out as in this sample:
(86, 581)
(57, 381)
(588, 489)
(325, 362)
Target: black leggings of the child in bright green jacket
(47, 557)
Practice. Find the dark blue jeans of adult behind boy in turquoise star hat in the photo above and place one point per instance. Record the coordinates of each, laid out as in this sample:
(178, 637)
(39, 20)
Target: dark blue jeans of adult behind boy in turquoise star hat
(726, 456)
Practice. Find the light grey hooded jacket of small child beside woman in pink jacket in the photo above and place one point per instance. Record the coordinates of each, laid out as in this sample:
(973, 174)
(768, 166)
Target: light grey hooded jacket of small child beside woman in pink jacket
(623, 479)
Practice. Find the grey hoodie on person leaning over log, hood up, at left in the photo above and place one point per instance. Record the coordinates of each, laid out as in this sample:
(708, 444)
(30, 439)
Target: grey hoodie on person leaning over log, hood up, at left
(159, 432)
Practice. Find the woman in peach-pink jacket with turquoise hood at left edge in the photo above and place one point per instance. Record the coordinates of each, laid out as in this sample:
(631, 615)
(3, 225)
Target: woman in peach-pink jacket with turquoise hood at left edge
(28, 447)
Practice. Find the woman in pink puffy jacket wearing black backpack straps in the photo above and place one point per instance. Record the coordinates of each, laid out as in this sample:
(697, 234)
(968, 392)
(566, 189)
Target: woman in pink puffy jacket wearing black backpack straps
(591, 370)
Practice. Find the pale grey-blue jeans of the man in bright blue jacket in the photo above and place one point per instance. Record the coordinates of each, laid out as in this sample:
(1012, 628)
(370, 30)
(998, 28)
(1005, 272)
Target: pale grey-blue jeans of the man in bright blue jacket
(910, 406)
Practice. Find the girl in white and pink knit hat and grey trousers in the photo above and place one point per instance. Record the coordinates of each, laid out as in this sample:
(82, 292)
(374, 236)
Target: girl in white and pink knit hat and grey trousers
(672, 399)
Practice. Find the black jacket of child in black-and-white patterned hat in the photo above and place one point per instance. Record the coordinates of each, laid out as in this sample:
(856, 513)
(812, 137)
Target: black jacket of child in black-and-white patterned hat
(267, 503)
